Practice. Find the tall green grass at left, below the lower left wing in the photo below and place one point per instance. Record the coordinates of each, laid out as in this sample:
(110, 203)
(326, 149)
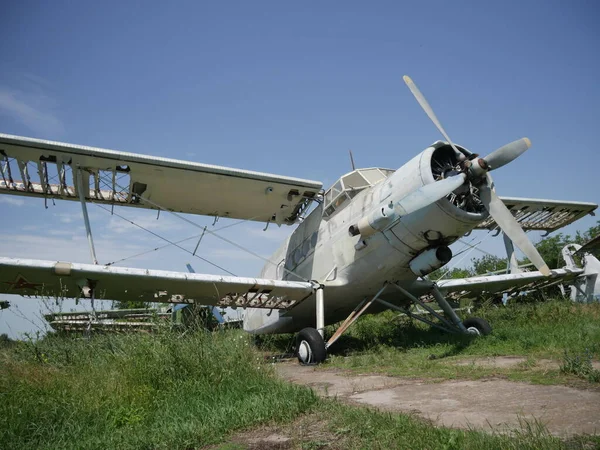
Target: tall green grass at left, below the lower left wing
(138, 391)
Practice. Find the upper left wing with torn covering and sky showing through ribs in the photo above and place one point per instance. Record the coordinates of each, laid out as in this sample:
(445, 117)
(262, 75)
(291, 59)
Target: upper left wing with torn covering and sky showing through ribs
(48, 169)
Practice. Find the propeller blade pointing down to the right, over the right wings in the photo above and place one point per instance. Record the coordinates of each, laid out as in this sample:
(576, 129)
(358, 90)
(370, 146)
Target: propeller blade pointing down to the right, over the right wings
(511, 227)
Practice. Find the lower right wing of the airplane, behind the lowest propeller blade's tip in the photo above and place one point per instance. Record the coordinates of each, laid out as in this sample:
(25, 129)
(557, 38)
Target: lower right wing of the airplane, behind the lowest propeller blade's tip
(510, 283)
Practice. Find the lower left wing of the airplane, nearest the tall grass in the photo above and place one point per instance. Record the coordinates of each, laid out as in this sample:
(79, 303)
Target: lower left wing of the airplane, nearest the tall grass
(73, 280)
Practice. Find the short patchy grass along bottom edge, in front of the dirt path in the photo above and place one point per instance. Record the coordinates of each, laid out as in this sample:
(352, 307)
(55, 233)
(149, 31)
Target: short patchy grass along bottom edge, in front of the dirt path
(332, 424)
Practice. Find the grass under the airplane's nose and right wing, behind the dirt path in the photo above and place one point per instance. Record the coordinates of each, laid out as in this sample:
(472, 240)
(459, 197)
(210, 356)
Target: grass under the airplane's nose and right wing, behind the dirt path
(540, 332)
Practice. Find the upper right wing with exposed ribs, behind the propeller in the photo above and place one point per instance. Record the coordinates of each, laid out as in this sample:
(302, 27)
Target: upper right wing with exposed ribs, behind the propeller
(543, 215)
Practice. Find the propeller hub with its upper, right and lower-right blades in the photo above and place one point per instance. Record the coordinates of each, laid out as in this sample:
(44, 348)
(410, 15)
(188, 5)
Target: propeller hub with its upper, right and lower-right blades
(476, 171)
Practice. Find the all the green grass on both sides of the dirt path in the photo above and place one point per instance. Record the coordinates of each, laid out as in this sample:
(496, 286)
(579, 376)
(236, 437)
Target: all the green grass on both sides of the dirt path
(170, 390)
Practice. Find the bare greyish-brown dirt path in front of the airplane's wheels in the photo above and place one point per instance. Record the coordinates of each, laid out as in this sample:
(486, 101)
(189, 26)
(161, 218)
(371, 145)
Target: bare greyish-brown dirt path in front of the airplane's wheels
(495, 403)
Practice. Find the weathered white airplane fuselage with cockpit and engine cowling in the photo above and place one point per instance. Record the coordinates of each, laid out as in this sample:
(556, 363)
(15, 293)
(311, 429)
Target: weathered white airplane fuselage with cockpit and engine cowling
(353, 268)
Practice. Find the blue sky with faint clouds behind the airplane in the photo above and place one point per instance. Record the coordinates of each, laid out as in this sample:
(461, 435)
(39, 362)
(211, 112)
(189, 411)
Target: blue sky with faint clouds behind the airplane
(288, 88)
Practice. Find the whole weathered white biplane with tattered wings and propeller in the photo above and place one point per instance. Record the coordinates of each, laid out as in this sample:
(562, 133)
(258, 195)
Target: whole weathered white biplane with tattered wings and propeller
(366, 246)
